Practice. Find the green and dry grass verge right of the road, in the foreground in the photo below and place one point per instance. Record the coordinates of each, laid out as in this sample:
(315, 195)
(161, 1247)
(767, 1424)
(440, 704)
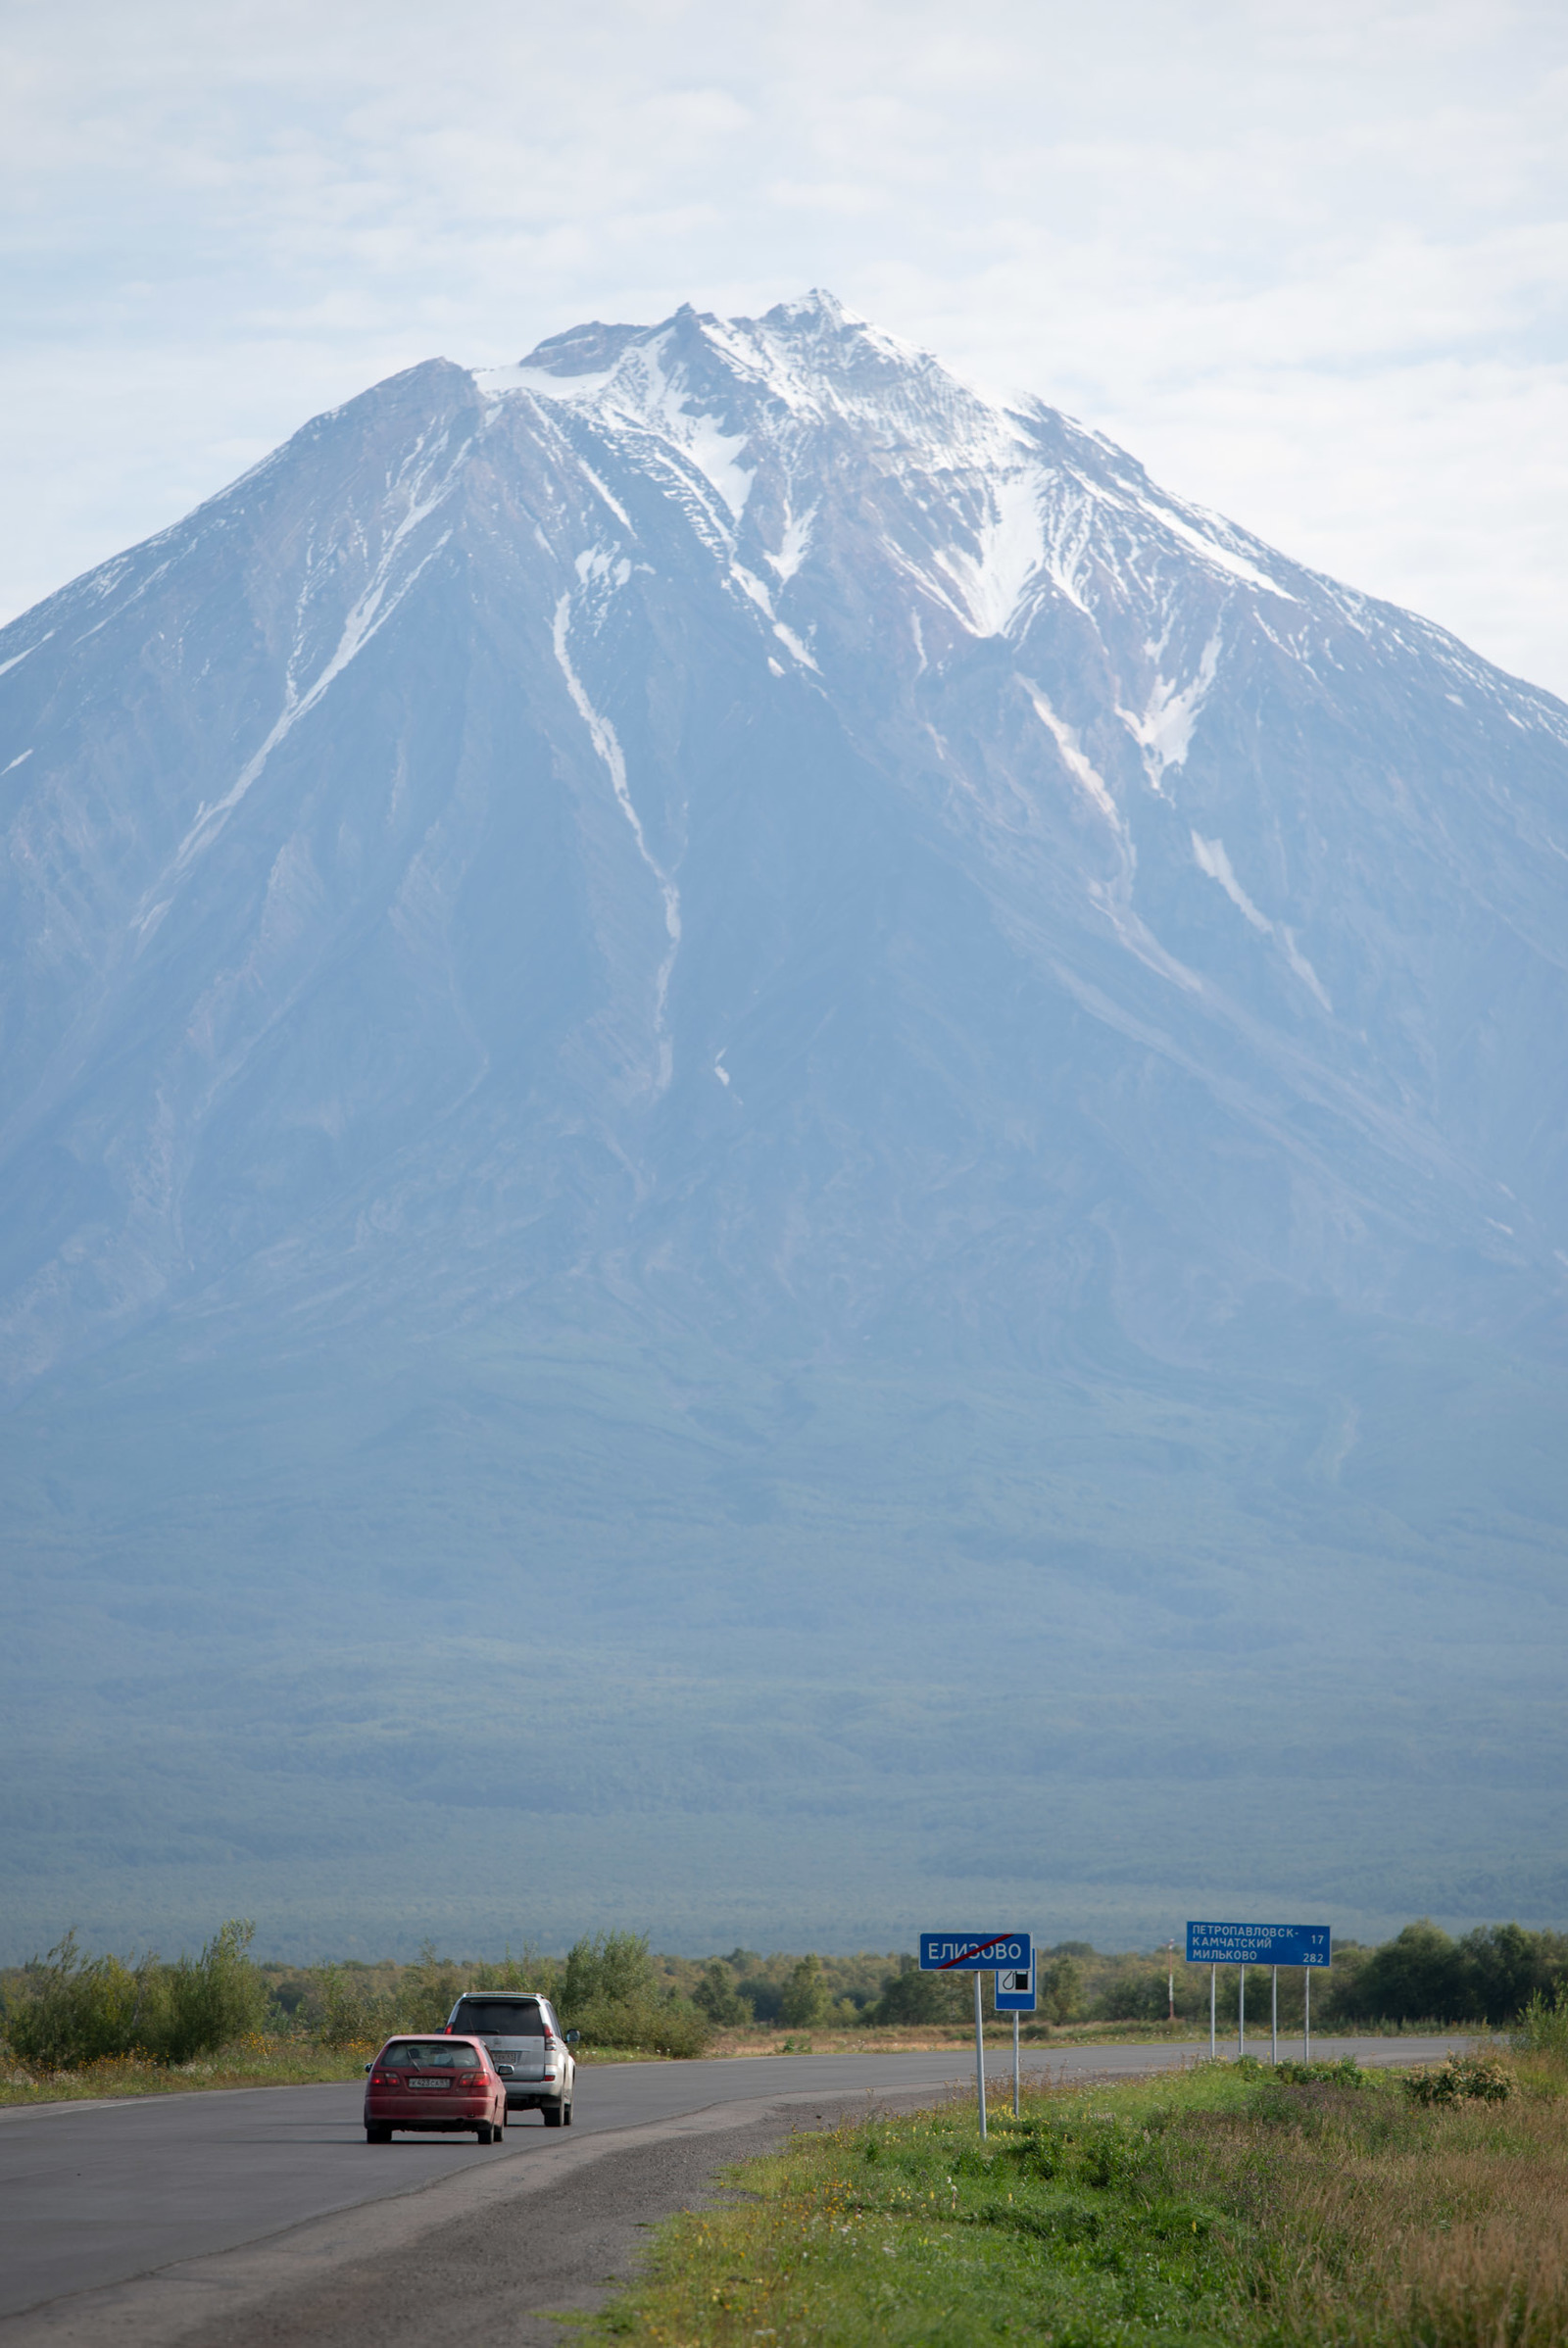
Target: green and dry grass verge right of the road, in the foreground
(1219, 2206)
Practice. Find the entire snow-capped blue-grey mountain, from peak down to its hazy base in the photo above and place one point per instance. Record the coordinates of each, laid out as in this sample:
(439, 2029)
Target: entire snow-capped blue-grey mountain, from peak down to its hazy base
(705, 990)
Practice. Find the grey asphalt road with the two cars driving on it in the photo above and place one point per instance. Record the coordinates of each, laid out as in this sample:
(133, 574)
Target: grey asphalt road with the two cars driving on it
(264, 2215)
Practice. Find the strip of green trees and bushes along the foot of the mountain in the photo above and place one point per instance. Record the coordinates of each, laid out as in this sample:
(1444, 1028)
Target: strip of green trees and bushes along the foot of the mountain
(69, 2009)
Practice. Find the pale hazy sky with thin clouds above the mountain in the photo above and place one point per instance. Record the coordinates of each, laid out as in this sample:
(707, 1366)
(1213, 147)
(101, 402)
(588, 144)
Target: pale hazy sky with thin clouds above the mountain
(1304, 257)
